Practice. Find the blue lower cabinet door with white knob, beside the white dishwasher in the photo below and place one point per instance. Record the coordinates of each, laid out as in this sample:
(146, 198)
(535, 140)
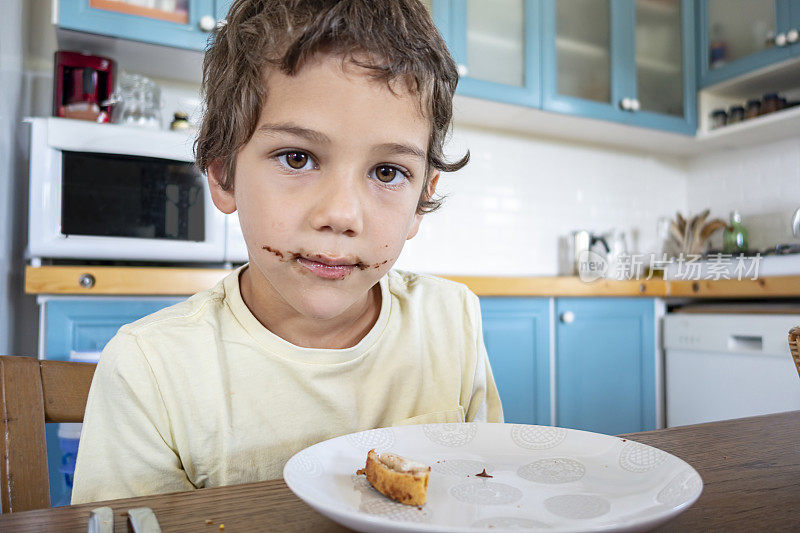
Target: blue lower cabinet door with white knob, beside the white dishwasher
(605, 364)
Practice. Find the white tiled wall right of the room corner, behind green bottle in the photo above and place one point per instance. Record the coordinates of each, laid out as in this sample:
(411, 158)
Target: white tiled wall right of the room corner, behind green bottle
(762, 183)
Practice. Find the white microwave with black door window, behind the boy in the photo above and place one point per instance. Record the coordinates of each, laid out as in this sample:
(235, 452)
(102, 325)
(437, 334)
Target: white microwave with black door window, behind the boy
(104, 191)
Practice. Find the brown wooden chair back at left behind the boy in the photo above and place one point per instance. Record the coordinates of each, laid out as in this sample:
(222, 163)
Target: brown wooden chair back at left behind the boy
(33, 392)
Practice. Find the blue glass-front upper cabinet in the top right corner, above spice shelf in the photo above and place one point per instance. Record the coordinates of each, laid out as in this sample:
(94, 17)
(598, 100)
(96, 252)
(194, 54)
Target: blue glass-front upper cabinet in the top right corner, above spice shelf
(739, 36)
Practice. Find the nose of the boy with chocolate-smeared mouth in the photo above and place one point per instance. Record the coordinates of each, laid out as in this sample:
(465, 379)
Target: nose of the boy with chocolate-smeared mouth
(339, 208)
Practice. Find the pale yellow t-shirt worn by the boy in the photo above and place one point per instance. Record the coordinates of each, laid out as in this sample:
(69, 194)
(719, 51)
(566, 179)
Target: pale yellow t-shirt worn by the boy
(201, 394)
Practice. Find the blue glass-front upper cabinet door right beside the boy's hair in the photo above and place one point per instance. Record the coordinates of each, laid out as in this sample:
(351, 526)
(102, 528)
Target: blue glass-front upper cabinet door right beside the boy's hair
(496, 46)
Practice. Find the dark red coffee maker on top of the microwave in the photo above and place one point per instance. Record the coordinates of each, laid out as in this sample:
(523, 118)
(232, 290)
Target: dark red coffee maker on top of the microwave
(83, 83)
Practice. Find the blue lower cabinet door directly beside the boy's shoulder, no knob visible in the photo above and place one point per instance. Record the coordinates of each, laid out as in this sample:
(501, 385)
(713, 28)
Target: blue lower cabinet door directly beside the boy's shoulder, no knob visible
(516, 332)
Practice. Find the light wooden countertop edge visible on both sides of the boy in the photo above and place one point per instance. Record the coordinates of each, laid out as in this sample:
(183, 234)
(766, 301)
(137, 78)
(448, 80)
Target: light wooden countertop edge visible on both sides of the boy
(106, 280)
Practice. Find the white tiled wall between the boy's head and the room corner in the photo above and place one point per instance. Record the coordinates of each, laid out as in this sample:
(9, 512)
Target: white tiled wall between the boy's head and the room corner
(507, 209)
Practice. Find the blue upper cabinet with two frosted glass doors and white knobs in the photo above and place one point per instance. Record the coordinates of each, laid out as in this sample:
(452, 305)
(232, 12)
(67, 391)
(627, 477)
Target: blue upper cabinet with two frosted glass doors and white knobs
(628, 61)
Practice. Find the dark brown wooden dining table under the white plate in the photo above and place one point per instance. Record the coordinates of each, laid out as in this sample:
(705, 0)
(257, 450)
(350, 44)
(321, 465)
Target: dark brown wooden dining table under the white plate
(750, 467)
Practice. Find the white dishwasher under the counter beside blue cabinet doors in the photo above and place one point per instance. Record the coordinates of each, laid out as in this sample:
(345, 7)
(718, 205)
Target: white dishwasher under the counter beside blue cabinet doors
(728, 365)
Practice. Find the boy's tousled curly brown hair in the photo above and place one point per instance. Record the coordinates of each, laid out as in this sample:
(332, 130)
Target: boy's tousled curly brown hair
(394, 39)
